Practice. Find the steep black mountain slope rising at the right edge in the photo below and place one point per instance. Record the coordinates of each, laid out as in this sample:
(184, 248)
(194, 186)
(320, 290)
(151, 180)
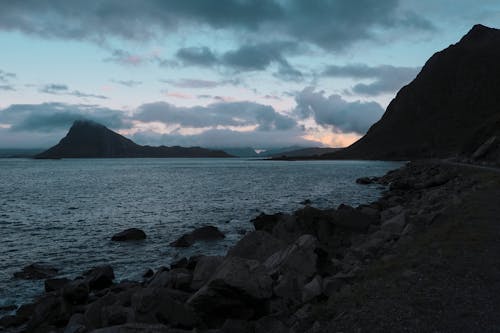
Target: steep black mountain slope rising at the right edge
(451, 108)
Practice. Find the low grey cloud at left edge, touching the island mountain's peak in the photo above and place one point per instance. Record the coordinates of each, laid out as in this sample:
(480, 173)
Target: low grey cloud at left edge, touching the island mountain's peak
(49, 117)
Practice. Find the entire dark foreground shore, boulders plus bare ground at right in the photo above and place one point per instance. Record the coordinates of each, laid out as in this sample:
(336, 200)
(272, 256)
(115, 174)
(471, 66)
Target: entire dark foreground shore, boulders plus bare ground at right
(422, 257)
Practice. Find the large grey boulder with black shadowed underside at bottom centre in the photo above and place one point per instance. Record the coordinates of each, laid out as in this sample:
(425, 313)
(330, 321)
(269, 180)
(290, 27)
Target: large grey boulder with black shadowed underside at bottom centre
(236, 290)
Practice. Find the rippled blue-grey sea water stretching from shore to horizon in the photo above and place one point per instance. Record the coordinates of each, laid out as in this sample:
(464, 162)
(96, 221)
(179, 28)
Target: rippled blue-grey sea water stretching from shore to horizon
(64, 212)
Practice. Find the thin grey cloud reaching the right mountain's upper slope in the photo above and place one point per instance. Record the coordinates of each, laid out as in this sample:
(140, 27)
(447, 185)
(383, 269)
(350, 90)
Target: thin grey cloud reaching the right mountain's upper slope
(386, 78)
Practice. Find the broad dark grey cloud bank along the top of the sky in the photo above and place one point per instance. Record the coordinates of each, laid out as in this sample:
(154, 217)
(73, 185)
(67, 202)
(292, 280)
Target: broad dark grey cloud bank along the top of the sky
(330, 24)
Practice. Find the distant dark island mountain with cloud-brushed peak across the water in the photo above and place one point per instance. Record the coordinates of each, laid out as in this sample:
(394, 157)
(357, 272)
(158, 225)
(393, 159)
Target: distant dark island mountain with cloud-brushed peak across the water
(89, 139)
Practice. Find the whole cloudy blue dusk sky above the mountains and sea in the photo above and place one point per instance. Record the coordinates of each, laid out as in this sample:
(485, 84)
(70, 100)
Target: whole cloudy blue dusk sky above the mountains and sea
(225, 73)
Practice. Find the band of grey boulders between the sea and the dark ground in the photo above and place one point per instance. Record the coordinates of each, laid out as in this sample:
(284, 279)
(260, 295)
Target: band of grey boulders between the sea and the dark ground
(286, 276)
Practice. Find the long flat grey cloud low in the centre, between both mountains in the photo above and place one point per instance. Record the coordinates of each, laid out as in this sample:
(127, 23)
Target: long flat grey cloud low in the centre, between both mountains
(218, 114)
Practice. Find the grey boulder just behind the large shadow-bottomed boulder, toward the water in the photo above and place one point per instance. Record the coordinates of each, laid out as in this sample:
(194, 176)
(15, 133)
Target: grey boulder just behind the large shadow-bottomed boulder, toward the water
(256, 245)
